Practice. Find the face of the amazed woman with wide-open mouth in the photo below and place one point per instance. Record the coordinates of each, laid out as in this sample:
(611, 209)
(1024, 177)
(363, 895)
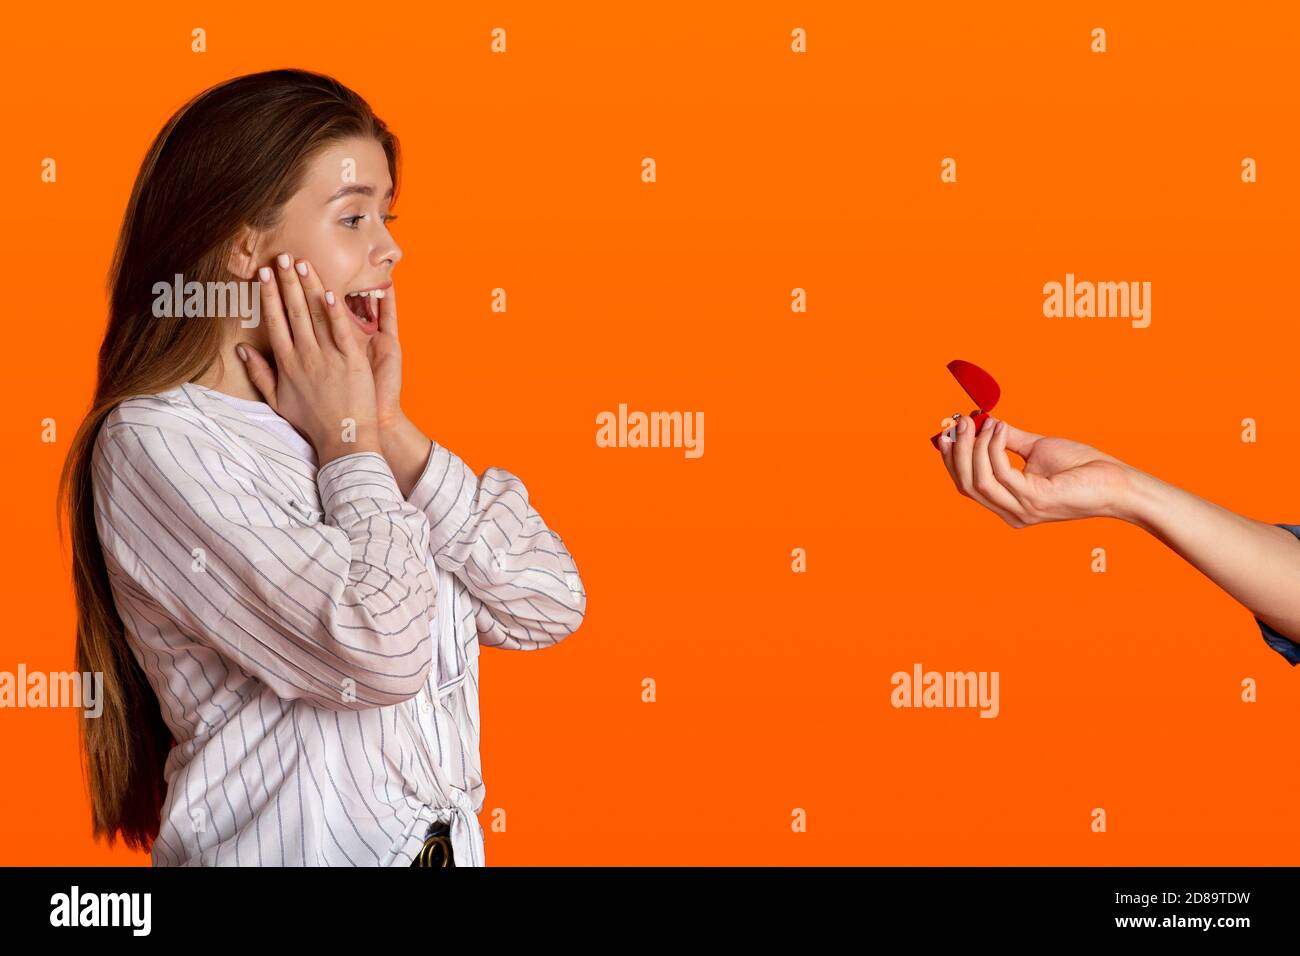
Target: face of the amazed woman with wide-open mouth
(339, 223)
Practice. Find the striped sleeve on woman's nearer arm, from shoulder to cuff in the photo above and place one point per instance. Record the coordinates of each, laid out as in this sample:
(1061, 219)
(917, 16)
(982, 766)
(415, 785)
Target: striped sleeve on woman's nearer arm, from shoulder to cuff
(336, 612)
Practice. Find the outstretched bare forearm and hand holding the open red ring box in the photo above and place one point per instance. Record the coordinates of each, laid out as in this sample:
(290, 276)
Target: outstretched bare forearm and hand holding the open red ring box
(1256, 564)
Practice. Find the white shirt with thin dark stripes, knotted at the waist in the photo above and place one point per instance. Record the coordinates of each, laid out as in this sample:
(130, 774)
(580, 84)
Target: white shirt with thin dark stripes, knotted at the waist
(311, 635)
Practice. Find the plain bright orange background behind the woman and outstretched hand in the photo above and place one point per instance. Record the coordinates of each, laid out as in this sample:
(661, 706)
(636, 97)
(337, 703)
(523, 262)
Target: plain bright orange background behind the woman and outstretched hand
(775, 171)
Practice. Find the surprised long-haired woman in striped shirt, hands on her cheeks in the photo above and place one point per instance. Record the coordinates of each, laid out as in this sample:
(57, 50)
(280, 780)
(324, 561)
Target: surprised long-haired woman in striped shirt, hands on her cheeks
(284, 582)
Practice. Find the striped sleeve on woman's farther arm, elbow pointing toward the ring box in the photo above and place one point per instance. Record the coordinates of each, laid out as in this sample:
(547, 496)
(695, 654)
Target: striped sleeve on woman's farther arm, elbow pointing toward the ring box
(486, 531)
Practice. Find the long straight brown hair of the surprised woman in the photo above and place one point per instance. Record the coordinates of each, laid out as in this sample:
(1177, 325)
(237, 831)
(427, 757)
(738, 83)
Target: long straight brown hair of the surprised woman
(229, 158)
